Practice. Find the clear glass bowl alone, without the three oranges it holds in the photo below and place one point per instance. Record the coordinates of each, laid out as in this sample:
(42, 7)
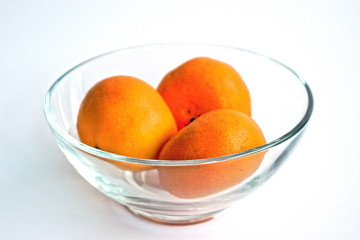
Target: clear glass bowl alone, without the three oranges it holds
(282, 105)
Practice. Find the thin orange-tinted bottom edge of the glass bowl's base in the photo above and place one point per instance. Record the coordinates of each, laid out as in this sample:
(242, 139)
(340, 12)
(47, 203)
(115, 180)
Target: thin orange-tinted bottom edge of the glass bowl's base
(174, 220)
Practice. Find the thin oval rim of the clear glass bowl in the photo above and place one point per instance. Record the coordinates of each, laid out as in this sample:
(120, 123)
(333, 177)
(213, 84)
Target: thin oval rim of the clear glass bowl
(64, 136)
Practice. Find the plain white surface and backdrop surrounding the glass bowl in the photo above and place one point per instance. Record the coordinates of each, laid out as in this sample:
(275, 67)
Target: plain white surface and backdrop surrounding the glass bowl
(315, 195)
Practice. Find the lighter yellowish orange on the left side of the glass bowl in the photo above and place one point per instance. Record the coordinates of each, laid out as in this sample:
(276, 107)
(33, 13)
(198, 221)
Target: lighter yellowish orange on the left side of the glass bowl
(126, 116)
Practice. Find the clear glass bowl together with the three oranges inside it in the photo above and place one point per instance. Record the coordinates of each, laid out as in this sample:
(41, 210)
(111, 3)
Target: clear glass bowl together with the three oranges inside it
(178, 168)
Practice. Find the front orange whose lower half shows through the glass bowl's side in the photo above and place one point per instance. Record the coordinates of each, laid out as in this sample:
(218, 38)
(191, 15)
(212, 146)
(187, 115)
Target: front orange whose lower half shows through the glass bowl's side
(213, 134)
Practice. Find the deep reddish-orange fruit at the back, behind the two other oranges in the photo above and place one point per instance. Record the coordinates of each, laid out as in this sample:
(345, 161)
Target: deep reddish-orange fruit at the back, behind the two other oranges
(203, 84)
